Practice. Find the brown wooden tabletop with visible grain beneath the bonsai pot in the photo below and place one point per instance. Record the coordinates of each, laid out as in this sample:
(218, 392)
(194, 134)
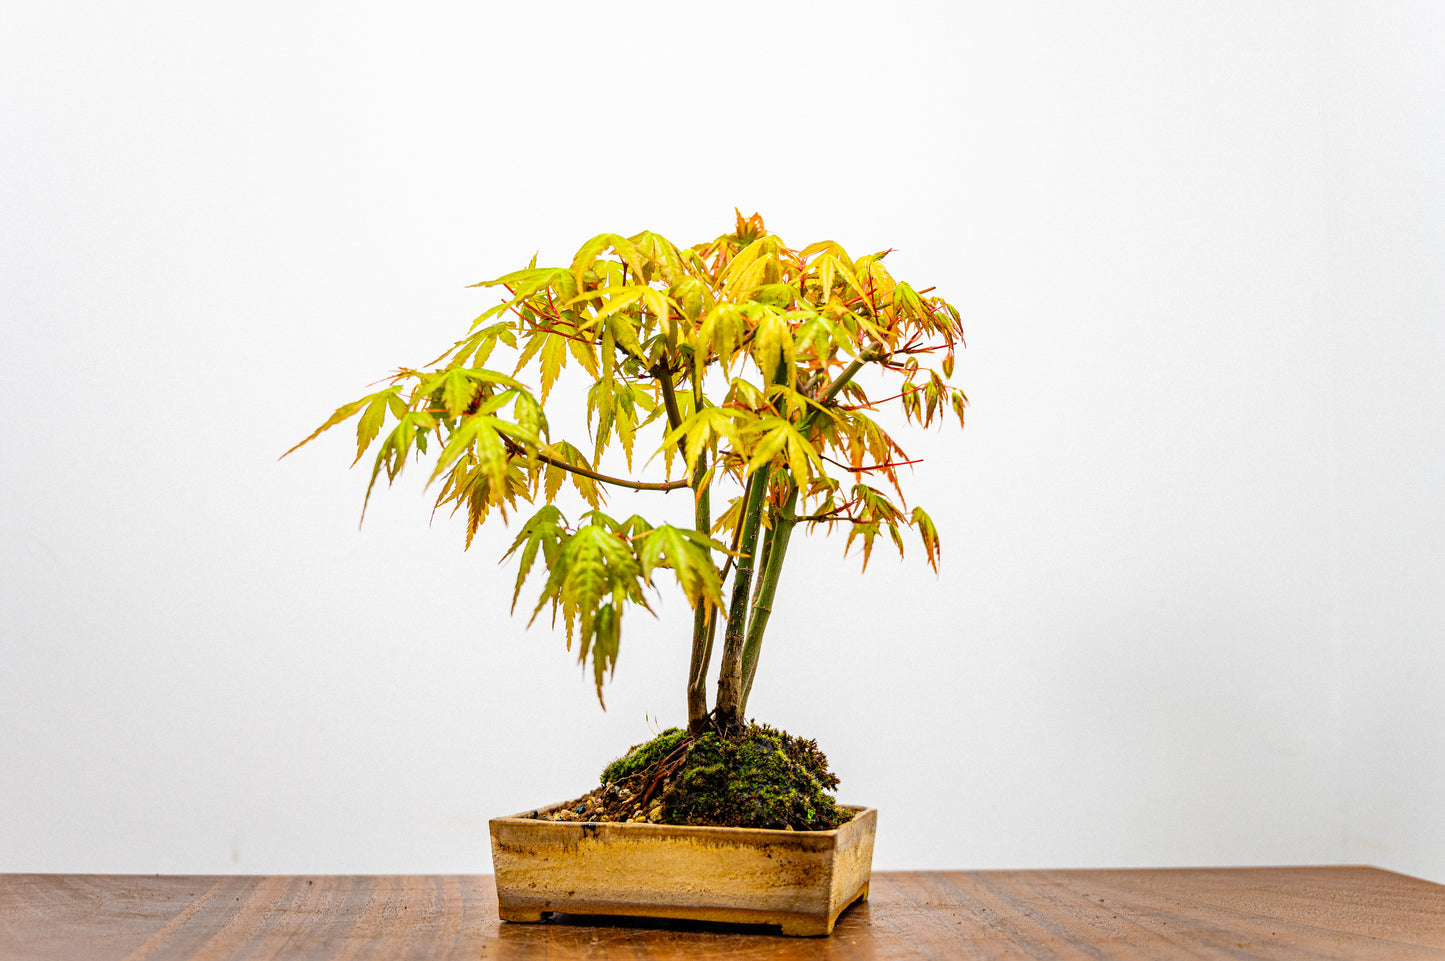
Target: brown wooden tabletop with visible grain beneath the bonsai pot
(1265, 913)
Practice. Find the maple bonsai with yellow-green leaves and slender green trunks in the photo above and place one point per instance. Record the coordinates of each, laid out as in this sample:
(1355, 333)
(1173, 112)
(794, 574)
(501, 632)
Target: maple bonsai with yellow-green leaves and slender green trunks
(741, 371)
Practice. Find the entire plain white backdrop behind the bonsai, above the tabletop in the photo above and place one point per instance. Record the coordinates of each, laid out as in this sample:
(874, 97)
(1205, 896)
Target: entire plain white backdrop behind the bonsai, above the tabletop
(1190, 611)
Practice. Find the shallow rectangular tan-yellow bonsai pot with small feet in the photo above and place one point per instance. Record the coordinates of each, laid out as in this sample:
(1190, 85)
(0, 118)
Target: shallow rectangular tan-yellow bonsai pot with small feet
(798, 879)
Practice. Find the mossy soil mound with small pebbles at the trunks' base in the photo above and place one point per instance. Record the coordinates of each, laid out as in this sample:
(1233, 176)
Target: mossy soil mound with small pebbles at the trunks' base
(758, 780)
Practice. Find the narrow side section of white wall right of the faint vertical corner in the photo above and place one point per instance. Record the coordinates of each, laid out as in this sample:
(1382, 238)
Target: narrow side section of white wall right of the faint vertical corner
(1388, 245)
